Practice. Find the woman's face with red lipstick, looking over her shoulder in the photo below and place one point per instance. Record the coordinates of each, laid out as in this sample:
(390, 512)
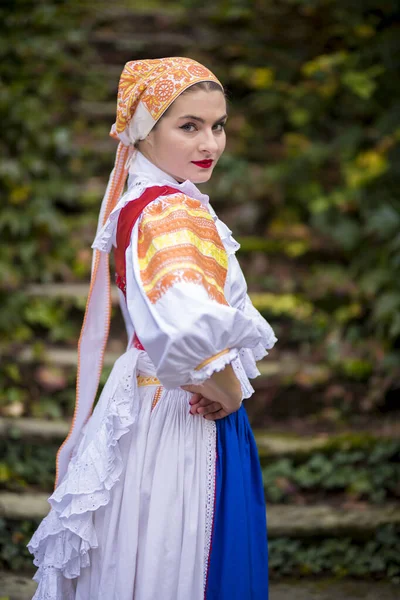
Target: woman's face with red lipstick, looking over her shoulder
(192, 130)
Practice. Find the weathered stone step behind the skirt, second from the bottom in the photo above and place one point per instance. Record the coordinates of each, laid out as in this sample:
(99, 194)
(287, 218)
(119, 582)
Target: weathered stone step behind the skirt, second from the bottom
(283, 520)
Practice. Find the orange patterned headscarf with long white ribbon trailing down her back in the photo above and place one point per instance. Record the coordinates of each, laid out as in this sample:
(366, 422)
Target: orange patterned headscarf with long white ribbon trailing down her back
(147, 88)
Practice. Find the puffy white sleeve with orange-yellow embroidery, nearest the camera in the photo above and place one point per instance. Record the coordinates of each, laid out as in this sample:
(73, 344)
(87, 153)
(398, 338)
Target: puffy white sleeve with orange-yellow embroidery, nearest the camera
(176, 275)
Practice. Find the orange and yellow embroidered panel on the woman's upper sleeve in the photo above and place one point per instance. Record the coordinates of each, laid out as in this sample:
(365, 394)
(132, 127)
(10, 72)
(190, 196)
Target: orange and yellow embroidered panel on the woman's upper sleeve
(178, 241)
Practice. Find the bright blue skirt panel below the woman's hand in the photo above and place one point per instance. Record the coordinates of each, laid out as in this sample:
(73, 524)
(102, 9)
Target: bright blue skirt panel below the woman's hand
(238, 560)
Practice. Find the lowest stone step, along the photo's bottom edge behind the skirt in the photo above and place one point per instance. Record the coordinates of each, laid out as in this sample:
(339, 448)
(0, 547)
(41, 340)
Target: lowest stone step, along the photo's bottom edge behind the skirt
(22, 587)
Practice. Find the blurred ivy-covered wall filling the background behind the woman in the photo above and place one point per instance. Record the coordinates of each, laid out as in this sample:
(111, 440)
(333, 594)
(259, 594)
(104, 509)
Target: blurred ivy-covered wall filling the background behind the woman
(309, 184)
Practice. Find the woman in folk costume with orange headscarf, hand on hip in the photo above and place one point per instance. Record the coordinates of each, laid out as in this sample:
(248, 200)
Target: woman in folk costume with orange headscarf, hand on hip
(158, 491)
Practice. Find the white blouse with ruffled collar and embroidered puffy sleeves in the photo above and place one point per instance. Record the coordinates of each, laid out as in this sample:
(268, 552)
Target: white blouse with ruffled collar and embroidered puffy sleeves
(186, 295)
